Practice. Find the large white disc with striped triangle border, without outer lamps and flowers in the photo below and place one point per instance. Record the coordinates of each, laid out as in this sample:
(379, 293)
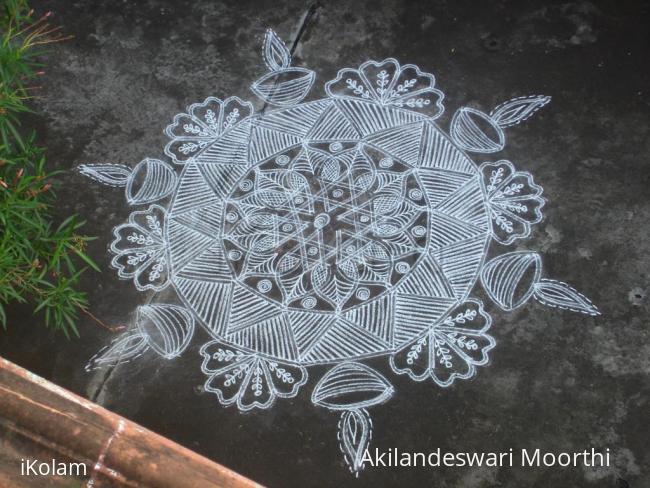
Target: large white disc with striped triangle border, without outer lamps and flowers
(332, 230)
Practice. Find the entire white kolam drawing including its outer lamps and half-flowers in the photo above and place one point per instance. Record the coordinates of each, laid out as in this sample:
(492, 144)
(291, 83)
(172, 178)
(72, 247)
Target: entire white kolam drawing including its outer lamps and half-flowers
(327, 232)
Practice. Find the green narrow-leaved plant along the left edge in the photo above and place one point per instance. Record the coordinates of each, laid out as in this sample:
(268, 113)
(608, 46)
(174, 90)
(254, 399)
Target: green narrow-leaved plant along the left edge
(40, 261)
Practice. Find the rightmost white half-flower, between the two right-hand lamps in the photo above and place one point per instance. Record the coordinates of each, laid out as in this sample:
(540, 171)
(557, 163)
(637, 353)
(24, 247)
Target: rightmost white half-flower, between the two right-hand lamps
(515, 200)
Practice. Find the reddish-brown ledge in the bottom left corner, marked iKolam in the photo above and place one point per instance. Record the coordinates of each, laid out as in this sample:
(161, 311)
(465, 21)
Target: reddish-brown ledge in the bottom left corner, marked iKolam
(38, 418)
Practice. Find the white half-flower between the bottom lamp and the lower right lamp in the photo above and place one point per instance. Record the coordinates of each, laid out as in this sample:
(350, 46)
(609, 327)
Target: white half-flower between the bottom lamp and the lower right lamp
(449, 350)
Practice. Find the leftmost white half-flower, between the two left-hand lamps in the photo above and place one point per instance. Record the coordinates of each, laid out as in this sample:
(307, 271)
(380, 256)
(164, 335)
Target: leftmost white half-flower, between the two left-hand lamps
(139, 249)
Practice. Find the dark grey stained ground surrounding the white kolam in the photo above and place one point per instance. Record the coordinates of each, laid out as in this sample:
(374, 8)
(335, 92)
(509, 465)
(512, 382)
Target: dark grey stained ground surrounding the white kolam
(558, 381)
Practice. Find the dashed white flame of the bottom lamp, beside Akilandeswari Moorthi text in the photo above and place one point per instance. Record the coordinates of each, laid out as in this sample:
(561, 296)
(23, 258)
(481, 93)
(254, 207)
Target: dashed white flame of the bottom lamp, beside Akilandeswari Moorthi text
(355, 432)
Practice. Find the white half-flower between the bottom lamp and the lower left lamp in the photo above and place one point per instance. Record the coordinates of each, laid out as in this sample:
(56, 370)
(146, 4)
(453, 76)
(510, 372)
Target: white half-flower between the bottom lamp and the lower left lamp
(248, 380)
